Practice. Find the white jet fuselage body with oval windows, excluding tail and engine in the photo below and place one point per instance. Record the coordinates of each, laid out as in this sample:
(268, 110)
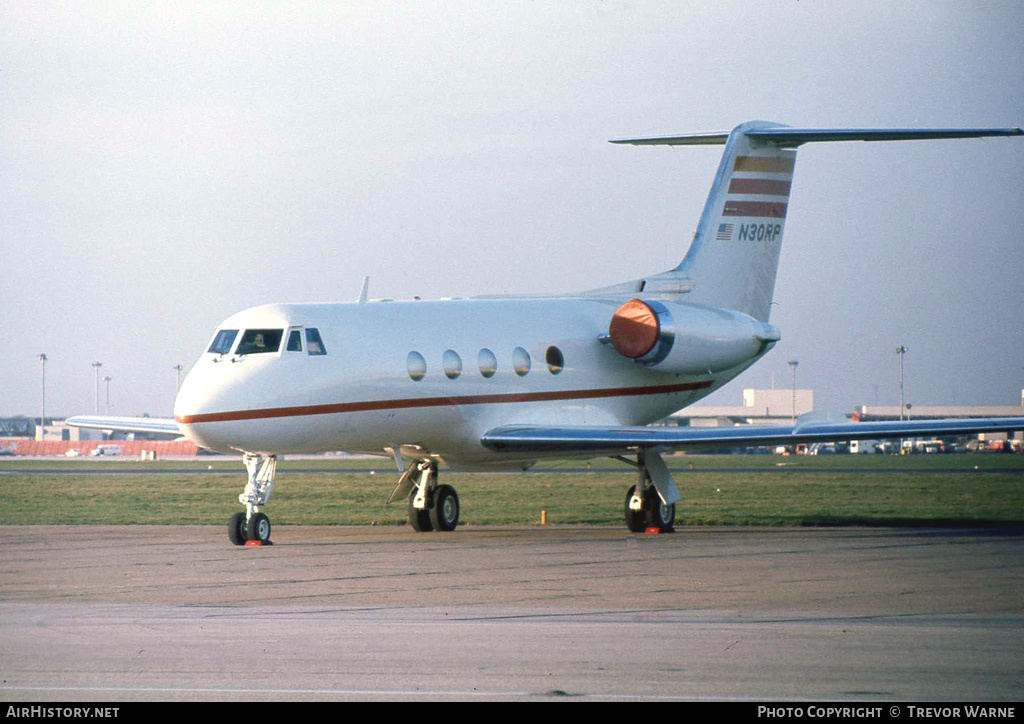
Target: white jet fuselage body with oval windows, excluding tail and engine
(433, 374)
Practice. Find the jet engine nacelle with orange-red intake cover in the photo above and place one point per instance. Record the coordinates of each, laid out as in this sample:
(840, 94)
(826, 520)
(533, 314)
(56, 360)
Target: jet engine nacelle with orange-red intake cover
(688, 339)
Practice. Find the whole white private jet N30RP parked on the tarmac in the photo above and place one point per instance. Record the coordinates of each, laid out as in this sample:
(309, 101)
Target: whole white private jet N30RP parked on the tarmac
(500, 384)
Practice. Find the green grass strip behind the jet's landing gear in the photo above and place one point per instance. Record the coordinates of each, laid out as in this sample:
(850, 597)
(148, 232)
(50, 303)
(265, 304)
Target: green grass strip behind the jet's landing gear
(734, 490)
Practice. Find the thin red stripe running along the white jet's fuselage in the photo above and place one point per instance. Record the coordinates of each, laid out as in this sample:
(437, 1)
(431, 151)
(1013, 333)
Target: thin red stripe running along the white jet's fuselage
(412, 403)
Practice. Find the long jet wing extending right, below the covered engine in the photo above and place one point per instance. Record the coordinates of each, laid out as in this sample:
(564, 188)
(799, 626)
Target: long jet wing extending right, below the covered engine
(618, 441)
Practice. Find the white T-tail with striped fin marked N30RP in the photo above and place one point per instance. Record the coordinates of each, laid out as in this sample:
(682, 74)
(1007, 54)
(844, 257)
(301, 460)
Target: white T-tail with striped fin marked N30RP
(734, 260)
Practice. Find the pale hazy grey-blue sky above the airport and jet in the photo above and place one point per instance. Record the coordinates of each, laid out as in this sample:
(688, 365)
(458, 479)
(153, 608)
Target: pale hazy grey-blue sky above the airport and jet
(165, 165)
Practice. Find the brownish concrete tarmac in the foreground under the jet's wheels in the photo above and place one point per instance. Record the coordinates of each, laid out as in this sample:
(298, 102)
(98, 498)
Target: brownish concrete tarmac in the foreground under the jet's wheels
(357, 614)
